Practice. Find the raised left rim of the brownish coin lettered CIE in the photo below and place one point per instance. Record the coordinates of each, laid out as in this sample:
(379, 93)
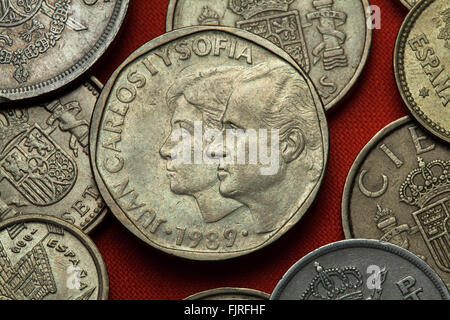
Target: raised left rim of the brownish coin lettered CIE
(360, 158)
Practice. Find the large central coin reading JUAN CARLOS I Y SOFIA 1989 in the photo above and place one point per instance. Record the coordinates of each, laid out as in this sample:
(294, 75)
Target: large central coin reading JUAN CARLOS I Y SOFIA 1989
(167, 137)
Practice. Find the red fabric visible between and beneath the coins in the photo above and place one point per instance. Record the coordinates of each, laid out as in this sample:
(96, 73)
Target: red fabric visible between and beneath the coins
(138, 271)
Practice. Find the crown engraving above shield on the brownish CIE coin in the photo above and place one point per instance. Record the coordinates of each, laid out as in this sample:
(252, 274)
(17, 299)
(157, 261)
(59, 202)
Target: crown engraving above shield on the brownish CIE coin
(425, 183)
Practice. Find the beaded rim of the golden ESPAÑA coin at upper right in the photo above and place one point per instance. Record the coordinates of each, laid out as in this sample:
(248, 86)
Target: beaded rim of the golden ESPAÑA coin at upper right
(399, 68)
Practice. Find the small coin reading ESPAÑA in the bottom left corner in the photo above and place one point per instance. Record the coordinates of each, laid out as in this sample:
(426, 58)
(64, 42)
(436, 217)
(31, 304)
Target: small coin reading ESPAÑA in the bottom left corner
(45, 258)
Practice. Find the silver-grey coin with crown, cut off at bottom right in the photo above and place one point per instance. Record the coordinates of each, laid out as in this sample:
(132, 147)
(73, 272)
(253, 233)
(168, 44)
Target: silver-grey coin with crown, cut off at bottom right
(360, 270)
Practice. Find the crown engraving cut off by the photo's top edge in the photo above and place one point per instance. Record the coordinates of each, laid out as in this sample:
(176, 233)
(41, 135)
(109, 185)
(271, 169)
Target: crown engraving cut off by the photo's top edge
(250, 8)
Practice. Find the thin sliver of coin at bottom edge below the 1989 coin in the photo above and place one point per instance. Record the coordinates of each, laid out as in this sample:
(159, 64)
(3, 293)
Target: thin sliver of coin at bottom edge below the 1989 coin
(230, 294)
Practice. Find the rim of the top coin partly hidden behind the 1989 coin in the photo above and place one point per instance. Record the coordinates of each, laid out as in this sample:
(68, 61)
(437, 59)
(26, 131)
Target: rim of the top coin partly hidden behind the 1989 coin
(170, 19)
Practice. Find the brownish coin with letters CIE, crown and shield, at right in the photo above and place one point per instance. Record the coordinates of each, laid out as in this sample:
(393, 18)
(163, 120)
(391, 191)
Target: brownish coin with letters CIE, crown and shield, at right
(398, 190)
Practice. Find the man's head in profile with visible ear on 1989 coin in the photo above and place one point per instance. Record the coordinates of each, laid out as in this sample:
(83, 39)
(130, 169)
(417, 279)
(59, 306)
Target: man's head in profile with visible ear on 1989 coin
(272, 97)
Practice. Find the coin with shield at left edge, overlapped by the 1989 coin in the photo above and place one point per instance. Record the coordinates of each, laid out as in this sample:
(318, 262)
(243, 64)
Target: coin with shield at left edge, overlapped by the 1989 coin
(44, 159)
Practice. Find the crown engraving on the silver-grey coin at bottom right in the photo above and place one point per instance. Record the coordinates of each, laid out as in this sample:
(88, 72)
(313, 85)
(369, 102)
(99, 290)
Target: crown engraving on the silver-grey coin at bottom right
(335, 284)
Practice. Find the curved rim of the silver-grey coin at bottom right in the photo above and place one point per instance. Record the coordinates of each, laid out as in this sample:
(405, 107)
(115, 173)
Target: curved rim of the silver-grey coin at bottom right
(362, 243)
